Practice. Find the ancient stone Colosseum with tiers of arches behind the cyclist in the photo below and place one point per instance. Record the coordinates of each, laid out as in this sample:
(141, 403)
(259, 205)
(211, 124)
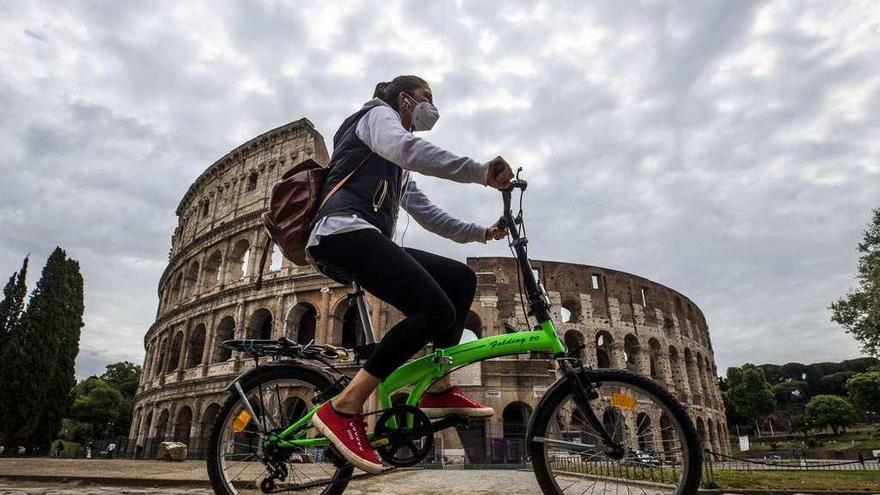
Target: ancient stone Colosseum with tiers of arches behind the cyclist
(206, 296)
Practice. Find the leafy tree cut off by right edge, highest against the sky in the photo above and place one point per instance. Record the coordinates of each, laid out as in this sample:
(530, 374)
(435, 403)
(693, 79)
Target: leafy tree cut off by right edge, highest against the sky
(859, 311)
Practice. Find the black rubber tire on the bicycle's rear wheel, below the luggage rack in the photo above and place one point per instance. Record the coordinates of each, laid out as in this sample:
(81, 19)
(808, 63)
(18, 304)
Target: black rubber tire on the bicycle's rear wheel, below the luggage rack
(319, 381)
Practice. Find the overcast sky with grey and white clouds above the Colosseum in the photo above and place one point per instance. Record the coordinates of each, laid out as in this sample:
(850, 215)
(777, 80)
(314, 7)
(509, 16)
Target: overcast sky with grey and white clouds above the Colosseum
(729, 150)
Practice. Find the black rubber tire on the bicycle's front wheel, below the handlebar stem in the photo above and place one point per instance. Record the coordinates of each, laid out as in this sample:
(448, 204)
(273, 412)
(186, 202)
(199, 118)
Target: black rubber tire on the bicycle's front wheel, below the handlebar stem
(690, 479)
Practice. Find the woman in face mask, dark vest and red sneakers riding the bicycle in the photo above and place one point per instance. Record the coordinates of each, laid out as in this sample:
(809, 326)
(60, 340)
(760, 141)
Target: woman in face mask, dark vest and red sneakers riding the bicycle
(374, 151)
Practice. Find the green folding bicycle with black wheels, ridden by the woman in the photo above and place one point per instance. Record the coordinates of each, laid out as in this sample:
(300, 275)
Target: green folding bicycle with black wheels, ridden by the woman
(593, 431)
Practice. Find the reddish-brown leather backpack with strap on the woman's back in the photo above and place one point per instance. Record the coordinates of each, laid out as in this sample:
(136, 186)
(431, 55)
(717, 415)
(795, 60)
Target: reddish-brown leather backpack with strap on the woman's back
(293, 204)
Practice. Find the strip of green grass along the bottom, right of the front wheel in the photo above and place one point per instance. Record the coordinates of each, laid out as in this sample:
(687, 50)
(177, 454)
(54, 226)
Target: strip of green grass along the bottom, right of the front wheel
(799, 480)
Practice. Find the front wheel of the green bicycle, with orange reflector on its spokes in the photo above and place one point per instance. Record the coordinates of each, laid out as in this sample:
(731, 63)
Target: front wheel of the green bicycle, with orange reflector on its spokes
(660, 452)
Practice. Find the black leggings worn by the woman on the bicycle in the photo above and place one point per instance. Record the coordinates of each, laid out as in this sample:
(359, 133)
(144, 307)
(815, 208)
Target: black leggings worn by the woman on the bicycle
(433, 292)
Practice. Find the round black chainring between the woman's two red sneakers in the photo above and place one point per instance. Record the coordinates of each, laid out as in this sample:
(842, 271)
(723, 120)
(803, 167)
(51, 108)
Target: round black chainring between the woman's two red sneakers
(404, 435)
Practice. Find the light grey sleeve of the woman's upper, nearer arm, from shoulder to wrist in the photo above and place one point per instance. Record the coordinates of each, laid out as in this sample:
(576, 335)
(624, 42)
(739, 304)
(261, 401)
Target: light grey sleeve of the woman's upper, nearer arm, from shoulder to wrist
(380, 129)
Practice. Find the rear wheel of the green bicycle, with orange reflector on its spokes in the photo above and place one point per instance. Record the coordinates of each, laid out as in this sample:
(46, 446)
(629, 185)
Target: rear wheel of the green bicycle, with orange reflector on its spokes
(237, 462)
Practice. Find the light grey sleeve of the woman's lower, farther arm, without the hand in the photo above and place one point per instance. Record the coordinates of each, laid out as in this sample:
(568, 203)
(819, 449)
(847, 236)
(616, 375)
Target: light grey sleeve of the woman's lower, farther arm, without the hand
(435, 219)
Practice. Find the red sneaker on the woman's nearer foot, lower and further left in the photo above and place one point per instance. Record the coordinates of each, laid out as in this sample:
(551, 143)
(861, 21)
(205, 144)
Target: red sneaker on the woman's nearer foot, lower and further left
(349, 436)
